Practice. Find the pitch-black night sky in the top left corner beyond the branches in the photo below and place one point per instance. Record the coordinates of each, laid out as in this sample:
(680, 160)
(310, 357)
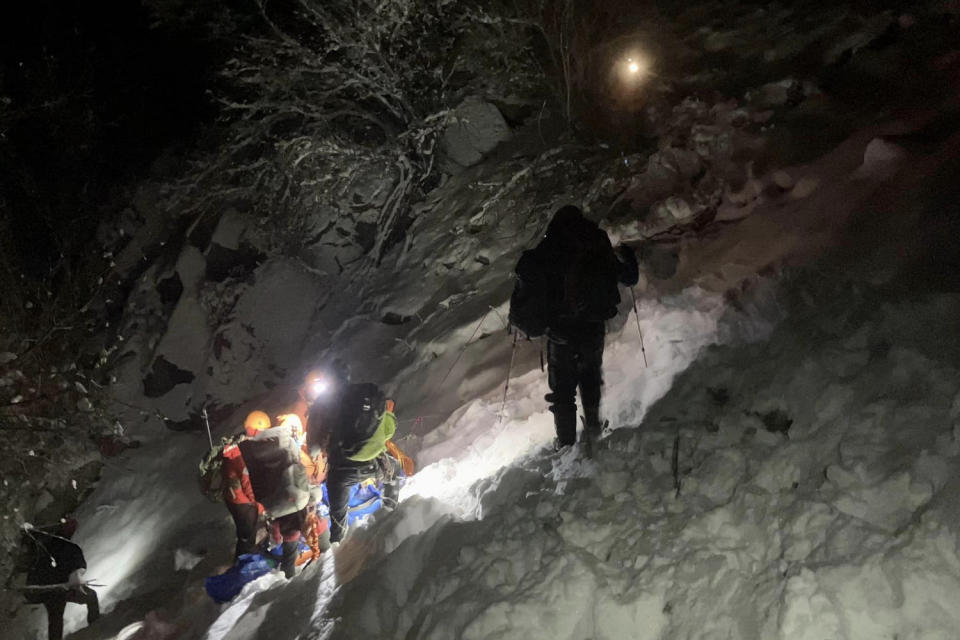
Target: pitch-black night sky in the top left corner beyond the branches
(96, 94)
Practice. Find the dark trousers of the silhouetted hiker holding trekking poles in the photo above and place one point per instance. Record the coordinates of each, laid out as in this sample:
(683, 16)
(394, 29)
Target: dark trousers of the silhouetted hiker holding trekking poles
(572, 363)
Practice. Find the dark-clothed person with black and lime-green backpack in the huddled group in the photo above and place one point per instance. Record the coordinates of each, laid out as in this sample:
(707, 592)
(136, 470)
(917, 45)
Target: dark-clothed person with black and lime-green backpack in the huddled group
(355, 422)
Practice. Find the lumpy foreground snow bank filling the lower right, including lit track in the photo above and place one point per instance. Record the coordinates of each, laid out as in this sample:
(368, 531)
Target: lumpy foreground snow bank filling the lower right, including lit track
(842, 526)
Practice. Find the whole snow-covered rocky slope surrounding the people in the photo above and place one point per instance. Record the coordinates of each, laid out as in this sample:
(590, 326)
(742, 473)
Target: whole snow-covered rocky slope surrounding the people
(814, 463)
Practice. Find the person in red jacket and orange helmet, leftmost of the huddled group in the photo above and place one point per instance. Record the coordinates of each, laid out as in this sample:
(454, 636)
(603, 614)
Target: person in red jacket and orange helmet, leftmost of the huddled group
(237, 490)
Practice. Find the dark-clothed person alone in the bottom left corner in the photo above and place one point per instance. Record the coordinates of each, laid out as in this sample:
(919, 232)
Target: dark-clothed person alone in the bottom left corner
(53, 579)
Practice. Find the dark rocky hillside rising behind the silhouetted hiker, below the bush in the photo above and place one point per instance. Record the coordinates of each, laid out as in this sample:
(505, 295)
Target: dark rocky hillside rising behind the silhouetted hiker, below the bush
(734, 127)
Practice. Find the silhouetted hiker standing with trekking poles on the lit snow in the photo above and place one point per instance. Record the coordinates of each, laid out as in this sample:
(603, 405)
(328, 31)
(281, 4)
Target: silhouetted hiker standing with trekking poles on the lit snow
(568, 286)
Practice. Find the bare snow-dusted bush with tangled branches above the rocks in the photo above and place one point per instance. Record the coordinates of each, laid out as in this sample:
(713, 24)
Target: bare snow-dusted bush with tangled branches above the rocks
(329, 97)
